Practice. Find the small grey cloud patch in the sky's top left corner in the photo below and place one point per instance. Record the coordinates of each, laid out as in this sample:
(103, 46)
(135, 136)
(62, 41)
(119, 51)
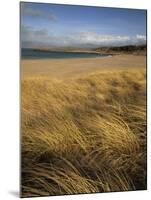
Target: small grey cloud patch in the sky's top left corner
(36, 13)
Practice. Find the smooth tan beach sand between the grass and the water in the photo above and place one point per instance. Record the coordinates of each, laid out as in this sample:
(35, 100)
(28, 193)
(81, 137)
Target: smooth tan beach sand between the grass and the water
(68, 68)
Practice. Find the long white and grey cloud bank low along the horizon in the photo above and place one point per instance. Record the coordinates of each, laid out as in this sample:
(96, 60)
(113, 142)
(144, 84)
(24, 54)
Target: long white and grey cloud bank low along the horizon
(81, 39)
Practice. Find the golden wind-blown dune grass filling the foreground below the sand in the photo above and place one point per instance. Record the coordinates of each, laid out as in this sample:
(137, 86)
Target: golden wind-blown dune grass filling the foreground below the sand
(84, 135)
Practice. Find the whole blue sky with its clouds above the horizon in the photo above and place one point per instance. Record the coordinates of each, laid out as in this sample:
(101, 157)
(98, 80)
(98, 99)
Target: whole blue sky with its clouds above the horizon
(54, 25)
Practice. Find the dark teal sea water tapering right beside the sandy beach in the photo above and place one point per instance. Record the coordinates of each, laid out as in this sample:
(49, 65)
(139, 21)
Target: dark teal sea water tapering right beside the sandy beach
(40, 54)
